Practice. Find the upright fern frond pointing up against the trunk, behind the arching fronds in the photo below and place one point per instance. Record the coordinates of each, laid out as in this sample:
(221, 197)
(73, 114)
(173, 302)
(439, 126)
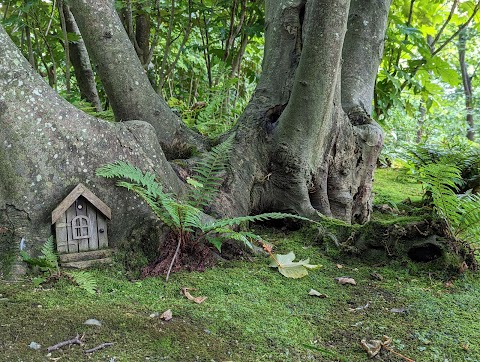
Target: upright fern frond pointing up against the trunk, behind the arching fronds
(209, 174)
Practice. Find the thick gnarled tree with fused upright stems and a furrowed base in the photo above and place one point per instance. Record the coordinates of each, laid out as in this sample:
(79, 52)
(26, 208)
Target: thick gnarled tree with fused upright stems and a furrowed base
(297, 150)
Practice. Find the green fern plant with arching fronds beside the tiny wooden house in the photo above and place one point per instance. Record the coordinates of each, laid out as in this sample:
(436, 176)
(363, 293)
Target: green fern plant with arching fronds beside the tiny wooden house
(185, 217)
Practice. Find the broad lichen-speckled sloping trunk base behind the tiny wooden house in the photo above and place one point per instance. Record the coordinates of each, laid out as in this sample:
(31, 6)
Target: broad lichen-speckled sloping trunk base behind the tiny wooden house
(47, 147)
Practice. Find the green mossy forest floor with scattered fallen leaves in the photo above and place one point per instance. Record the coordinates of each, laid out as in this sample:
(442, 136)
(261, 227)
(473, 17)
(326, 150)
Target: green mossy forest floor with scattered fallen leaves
(252, 312)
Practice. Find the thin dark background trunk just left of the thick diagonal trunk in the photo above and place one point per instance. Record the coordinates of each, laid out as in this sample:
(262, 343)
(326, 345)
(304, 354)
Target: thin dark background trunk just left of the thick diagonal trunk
(81, 63)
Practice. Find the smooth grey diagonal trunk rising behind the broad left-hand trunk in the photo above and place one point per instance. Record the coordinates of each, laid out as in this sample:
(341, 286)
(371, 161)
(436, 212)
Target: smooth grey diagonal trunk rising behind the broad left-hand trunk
(124, 79)
